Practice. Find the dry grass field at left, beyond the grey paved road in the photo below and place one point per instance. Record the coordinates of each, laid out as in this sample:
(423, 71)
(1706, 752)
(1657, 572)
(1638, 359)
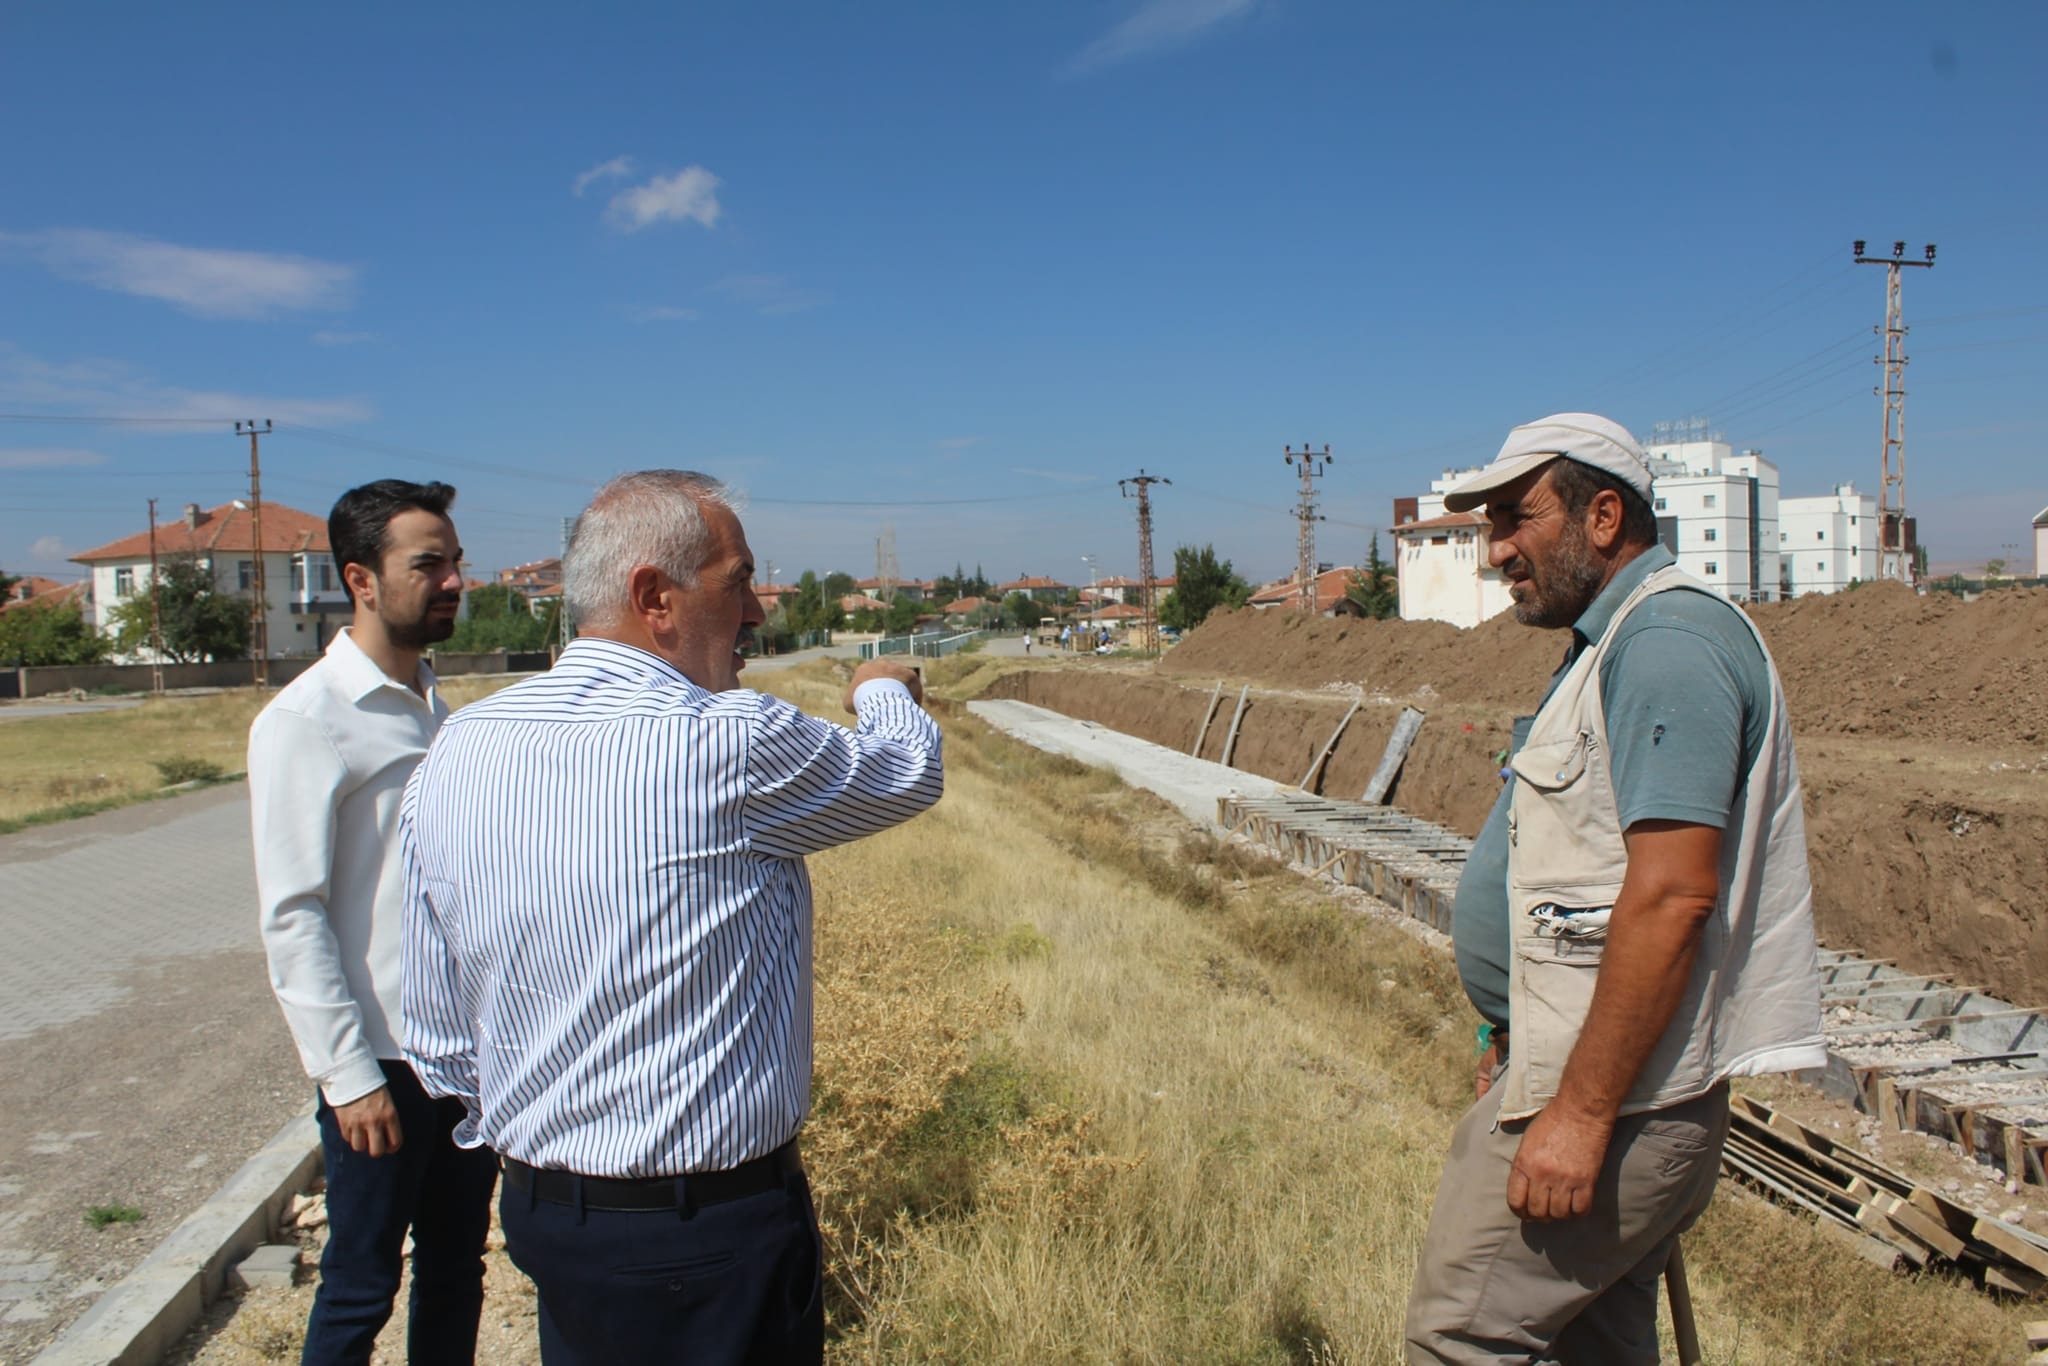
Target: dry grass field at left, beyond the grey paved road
(60, 767)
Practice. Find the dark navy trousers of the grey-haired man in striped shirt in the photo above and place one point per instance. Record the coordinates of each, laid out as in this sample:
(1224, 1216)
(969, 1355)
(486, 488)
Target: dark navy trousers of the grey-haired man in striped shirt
(718, 1285)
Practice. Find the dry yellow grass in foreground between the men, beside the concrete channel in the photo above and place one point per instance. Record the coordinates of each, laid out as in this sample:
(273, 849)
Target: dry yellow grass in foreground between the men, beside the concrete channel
(1093, 1091)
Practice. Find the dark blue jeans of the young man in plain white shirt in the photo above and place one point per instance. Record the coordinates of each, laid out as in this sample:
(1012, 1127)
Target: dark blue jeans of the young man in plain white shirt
(431, 1187)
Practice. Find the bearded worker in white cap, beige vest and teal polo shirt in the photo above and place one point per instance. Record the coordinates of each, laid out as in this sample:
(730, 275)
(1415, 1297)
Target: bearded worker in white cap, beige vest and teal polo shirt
(1635, 923)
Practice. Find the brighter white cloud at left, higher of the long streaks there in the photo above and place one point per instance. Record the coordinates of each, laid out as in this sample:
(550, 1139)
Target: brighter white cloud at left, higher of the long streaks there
(202, 282)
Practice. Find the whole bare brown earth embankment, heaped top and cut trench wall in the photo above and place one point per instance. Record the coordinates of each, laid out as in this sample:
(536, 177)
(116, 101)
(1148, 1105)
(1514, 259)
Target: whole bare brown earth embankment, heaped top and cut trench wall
(1922, 728)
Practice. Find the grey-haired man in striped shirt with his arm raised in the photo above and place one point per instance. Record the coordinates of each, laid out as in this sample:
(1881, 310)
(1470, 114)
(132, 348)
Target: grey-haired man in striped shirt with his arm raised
(609, 939)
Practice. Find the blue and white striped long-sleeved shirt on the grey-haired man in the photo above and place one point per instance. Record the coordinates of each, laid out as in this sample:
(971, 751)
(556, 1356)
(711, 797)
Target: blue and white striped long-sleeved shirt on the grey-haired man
(607, 916)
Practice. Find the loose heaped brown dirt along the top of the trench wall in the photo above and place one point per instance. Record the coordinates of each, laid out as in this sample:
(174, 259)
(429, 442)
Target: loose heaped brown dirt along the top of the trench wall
(1879, 660)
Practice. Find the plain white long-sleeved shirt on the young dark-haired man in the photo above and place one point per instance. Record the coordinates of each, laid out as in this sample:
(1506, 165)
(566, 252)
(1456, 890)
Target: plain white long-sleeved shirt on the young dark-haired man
(329, 767)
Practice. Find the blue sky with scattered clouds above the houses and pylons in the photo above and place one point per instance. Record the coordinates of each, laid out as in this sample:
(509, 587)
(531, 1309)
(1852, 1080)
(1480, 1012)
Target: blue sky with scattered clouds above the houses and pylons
(955, 269)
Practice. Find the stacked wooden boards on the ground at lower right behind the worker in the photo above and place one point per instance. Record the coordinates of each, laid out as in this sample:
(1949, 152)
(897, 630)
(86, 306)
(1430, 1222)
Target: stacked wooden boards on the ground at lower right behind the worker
(1883, 1213)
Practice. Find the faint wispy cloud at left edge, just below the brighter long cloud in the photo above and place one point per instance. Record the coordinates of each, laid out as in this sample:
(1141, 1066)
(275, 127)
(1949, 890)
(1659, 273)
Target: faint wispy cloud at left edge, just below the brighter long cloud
(114, 390)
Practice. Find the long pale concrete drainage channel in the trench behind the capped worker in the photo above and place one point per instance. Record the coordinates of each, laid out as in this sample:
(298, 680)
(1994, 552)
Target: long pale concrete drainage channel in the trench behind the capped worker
(1914, 1052)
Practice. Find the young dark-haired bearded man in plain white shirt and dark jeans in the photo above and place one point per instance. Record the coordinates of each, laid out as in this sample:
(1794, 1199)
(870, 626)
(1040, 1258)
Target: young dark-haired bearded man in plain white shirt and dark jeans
(329, 767)
